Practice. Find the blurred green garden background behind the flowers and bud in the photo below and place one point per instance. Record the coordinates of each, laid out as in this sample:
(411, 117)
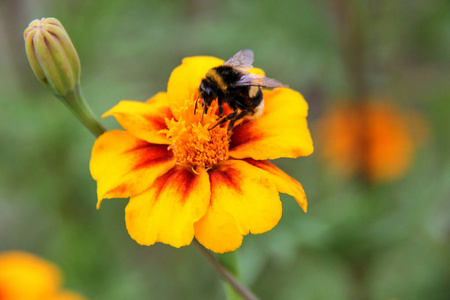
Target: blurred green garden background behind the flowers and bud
(384, 241)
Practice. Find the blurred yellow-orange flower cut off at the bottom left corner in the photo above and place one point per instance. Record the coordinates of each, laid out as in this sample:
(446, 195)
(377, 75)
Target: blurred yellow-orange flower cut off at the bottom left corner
(24, 276)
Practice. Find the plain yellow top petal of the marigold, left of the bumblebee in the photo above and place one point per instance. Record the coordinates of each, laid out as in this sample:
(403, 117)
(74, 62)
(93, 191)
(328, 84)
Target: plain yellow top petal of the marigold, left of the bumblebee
(185, 80)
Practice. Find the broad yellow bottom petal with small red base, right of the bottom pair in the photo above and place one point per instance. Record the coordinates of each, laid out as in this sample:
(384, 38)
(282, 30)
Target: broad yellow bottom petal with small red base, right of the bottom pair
(243, 199)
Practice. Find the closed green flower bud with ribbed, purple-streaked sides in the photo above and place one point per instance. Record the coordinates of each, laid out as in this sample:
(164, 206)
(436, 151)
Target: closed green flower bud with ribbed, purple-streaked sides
(52, 55)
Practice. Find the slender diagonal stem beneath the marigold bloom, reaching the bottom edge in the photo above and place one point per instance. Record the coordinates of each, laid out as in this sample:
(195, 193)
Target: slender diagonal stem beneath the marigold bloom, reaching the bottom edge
(239, 291)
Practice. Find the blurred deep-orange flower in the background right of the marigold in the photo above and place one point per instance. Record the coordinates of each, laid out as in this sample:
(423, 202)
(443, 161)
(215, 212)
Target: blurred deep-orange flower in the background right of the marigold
(375, 139)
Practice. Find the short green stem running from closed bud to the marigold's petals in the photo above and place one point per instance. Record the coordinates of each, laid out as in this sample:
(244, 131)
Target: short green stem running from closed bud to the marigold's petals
(75, 101)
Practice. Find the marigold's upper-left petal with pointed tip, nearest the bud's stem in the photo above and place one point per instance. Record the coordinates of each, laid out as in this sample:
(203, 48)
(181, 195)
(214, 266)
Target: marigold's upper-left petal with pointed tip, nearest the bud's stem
(144, 120)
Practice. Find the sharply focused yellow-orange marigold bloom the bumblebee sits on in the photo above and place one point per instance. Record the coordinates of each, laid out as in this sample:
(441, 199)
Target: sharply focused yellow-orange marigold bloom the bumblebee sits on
(188, 181)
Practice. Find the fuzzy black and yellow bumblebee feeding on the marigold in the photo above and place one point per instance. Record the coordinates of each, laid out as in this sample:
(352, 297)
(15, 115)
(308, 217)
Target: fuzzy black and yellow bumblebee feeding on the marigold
(231, 83)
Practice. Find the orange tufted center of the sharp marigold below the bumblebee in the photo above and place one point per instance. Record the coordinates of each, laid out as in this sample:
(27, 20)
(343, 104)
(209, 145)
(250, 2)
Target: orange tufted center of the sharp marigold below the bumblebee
(192, 142)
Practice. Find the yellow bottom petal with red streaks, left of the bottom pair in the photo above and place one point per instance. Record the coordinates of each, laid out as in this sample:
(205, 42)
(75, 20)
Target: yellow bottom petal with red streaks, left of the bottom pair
(167, 211)
